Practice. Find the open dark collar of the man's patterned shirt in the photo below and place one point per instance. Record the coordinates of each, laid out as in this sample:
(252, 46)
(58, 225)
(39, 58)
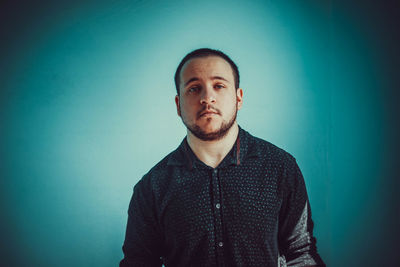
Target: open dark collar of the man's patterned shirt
(242, 149)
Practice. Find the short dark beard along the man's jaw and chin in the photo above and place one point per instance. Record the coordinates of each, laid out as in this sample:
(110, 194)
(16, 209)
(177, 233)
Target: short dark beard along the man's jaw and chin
(215, 135)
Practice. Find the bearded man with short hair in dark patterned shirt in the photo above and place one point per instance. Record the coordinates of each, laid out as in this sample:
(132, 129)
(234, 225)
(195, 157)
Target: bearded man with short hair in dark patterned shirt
(223, 197)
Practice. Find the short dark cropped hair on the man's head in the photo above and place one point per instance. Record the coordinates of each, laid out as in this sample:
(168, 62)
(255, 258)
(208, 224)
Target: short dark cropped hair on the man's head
(206, 52)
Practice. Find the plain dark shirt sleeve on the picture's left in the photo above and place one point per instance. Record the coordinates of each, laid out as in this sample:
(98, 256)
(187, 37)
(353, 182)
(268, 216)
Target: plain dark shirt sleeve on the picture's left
(142, 245)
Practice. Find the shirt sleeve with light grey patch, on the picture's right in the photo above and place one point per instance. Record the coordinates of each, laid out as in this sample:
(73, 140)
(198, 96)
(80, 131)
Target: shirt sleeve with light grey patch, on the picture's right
(296, 241)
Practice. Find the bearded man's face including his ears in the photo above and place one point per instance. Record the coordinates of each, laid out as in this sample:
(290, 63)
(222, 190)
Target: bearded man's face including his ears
(208, 101)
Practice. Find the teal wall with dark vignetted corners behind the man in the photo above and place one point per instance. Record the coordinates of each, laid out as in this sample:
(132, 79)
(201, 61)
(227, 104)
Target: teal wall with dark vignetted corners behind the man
(87, 108)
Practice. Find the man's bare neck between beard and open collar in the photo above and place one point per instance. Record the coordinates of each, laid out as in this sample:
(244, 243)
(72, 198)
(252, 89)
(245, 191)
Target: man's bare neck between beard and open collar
(213, 152)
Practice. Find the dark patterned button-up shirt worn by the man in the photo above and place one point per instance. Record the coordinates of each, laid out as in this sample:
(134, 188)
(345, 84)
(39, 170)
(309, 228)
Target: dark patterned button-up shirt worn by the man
(251, 210)
